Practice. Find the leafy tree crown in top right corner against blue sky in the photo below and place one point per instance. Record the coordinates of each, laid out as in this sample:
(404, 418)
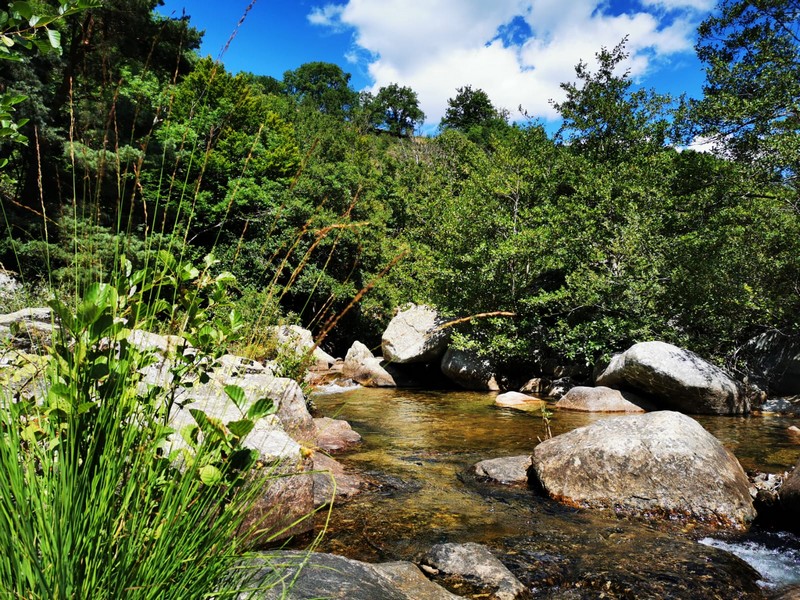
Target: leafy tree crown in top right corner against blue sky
(751, 104)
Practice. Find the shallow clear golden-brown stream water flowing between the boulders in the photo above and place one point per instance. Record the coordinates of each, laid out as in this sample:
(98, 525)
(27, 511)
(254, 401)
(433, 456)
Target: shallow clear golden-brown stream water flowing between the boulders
(418, 448)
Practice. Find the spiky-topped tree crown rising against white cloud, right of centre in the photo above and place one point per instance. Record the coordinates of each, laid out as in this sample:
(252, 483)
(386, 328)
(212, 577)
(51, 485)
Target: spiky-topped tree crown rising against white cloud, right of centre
(604, 118)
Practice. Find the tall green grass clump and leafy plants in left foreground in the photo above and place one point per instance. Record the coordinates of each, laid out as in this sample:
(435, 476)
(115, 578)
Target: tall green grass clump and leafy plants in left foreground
(109, 510)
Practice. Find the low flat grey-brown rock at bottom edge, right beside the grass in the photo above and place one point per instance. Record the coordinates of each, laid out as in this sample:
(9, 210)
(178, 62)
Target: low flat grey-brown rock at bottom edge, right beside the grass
(302, 575)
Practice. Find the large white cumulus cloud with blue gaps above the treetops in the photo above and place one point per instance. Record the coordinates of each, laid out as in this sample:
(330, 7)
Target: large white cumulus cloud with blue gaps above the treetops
(436, 46)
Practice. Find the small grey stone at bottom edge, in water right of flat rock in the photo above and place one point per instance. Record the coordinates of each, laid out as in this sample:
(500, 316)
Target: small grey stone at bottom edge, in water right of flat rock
(475, 564)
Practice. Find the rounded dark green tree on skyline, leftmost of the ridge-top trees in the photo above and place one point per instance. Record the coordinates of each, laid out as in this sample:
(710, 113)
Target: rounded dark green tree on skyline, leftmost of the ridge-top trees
(322, 86)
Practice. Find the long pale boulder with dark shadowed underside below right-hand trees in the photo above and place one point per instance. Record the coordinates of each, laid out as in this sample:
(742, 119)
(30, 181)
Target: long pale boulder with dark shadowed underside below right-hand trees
(676, 379)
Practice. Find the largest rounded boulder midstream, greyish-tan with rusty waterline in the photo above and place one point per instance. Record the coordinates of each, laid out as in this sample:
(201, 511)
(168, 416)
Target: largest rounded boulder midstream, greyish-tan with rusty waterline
(657, 463)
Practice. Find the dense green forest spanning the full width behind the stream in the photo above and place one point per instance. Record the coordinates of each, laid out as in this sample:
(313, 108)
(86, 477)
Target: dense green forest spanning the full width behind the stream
(117, 136)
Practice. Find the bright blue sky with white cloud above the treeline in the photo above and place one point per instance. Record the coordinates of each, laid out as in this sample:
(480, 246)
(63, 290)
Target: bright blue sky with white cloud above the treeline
(517, 51)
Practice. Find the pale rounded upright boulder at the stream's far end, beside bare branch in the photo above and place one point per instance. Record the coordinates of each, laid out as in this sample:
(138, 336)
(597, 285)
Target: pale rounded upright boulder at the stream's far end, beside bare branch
(415, 335)
